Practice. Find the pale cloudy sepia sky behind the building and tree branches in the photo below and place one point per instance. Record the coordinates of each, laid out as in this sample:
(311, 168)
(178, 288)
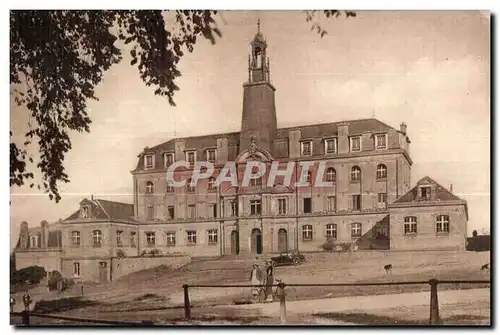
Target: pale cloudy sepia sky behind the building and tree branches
(430, 70)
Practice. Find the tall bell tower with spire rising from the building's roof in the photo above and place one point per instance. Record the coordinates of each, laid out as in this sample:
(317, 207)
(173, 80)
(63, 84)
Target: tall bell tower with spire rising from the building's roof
(259, 111)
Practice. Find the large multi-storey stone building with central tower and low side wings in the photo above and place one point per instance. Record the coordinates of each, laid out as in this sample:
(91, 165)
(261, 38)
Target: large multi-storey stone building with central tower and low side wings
(370, 204)
